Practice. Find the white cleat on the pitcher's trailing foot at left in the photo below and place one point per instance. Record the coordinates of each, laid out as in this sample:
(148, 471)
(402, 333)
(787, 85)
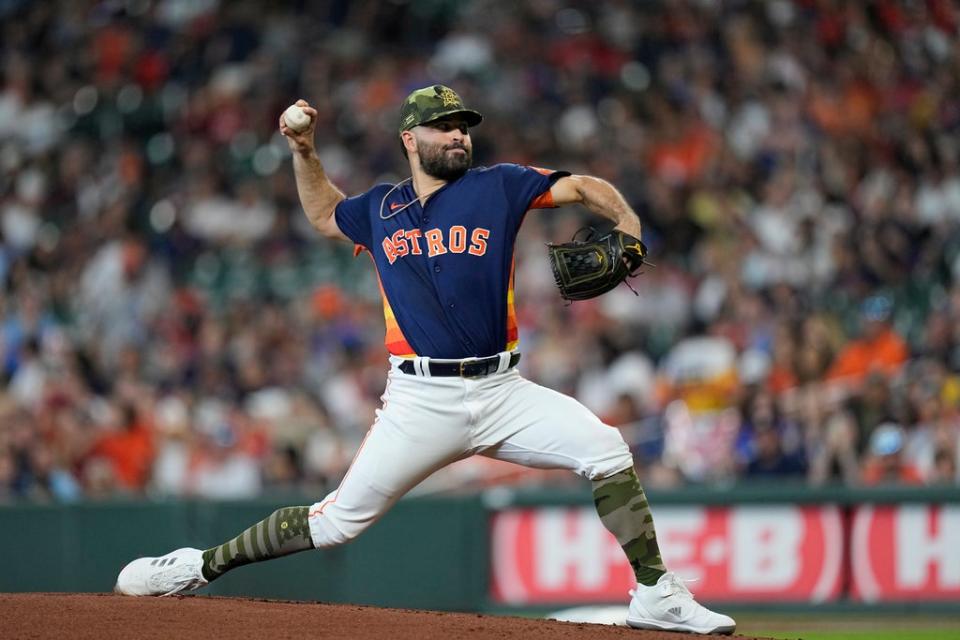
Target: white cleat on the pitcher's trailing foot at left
(178, 571)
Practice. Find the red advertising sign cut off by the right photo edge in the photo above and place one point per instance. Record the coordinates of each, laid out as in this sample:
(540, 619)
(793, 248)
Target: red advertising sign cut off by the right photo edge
(905, 552)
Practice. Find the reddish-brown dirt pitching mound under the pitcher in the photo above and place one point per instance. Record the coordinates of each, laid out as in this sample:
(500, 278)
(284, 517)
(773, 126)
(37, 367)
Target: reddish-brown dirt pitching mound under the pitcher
(107, 616)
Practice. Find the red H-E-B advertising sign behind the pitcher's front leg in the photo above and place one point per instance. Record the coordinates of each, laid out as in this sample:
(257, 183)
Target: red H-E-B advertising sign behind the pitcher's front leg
(749, 553)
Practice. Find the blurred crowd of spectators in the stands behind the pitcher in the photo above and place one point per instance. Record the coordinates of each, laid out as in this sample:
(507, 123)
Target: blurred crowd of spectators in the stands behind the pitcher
(172, 327)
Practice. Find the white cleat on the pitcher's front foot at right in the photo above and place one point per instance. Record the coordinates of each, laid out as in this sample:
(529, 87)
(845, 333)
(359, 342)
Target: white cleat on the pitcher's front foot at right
(669, 606)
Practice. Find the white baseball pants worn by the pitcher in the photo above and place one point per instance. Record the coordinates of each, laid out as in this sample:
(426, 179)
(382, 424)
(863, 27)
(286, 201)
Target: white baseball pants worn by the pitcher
(426, 423)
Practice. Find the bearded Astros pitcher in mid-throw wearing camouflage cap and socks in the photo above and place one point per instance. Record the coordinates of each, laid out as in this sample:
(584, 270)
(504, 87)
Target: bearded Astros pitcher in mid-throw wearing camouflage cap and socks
(442, 242)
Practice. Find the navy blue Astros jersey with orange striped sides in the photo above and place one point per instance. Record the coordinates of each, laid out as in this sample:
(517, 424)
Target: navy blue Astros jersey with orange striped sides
(446, 269)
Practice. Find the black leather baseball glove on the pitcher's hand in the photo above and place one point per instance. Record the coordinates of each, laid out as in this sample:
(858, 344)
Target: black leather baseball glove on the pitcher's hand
(587, 268)
